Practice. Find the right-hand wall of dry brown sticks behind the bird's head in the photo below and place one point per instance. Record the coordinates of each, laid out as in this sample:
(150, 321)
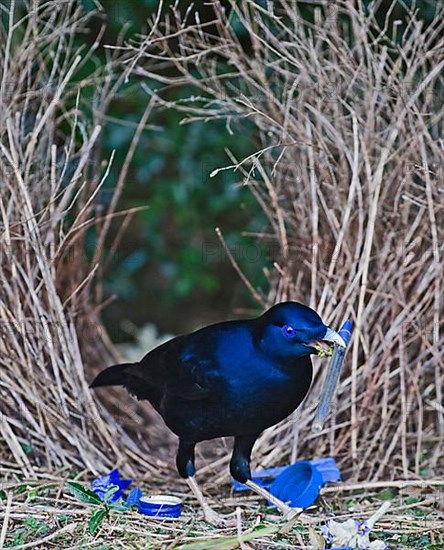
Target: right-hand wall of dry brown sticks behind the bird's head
(350, 176)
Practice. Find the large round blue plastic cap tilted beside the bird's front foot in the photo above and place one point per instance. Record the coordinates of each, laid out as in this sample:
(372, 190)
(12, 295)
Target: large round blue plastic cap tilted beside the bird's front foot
(299, 485)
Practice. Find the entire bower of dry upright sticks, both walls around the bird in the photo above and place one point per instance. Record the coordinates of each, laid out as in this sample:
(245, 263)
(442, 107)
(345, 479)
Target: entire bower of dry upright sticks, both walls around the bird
(348, 170)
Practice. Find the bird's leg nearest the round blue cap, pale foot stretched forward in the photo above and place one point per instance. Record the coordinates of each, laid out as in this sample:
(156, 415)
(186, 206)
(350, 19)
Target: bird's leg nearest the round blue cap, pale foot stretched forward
(240, 470)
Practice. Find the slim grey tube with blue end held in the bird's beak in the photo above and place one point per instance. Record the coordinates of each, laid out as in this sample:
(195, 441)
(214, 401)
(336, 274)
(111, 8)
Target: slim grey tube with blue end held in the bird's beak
(332, 378)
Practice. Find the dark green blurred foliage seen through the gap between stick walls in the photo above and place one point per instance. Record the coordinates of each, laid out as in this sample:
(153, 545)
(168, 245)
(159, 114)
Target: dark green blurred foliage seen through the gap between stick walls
(170, 269)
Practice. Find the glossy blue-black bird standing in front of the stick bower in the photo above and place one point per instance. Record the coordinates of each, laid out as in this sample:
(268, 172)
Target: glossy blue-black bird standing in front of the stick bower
(235, 378)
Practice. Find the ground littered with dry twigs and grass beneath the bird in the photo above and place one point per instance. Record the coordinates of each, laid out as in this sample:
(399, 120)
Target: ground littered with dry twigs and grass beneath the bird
(41, 514)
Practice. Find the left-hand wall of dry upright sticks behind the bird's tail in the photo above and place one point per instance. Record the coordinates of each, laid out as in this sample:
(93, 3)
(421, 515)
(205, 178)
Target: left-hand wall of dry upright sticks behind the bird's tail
(49, 296)
